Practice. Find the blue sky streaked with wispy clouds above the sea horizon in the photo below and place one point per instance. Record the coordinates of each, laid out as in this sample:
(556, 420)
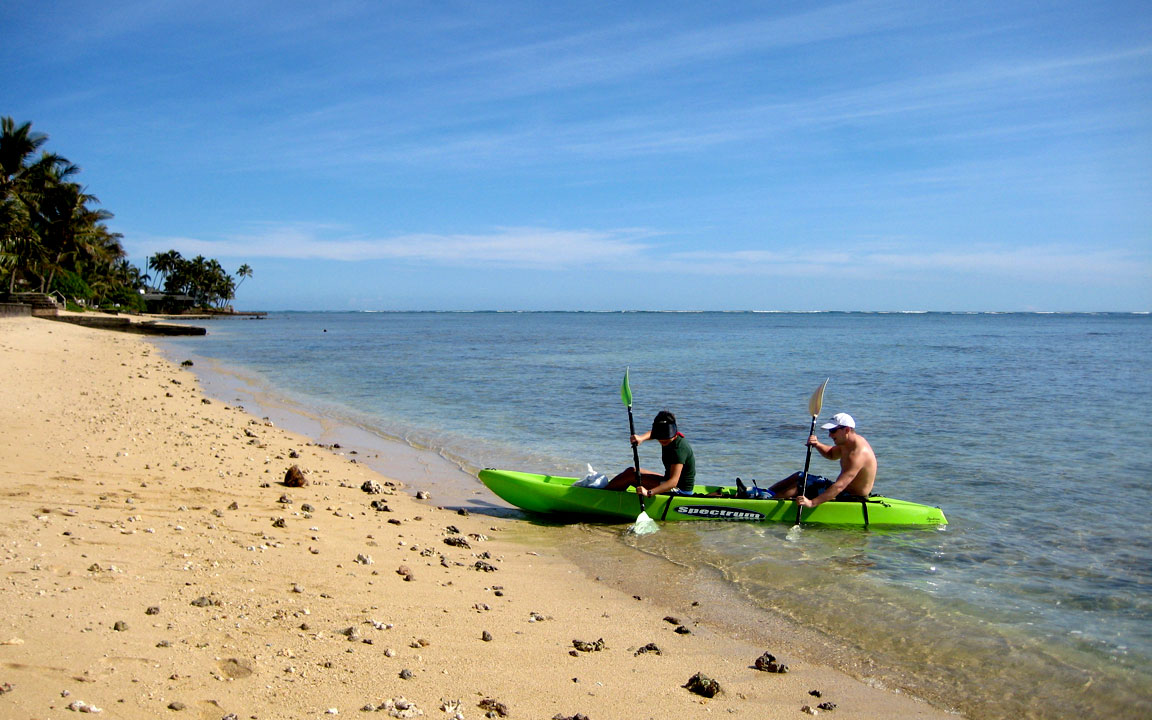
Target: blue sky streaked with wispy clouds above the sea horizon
(604, 156)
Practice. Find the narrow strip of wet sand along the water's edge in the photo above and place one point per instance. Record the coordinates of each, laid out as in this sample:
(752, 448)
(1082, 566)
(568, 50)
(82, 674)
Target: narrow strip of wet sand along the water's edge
(582, 545)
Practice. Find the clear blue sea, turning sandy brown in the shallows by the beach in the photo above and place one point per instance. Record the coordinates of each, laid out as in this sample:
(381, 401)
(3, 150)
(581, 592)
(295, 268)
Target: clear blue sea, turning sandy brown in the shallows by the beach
(1026, 429)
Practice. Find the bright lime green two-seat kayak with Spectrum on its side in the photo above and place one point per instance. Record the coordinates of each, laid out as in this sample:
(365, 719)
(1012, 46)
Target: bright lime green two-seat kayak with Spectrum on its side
(557, 496)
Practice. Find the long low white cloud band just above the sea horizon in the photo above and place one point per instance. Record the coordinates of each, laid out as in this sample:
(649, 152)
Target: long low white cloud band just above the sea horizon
(640, 251)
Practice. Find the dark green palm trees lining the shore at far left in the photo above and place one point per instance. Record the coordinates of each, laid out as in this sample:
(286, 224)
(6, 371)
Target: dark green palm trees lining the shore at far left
(55, 238)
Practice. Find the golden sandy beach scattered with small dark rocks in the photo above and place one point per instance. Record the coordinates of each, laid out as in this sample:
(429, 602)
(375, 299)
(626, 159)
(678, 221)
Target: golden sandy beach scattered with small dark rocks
(155, 565)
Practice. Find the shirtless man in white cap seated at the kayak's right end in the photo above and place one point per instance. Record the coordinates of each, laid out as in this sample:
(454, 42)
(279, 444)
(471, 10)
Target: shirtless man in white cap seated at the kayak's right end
(858, 467)
